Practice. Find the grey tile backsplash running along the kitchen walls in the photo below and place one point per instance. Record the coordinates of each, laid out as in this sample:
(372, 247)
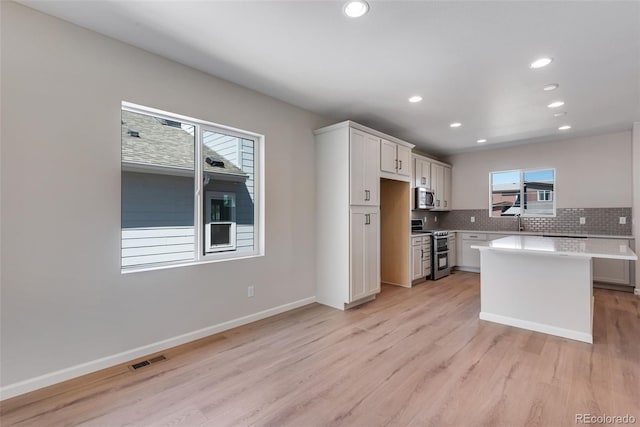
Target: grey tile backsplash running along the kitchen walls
(567, 220)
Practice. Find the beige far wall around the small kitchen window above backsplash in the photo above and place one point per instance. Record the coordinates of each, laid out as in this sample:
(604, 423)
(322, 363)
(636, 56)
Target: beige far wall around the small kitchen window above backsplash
(591, 172)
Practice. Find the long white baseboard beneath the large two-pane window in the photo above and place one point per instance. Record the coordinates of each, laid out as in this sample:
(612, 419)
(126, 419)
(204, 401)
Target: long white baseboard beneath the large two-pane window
(55, 377)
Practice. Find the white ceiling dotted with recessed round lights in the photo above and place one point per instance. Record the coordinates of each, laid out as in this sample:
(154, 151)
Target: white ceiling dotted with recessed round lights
(469, 60)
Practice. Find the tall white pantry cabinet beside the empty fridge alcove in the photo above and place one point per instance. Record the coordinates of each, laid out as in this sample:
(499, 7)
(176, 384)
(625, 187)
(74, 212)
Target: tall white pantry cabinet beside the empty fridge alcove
(348, 215)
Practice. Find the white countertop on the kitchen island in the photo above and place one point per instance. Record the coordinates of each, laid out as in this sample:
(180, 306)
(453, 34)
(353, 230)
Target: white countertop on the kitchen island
(566, 246)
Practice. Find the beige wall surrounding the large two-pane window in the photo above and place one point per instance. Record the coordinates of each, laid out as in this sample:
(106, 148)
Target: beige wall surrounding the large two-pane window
(64, 300)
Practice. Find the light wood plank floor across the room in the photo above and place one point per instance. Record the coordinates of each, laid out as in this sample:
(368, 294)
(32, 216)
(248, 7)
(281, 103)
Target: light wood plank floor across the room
(414, 357)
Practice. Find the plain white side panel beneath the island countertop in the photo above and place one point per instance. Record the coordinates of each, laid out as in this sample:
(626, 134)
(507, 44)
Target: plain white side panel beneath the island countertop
(544, 293)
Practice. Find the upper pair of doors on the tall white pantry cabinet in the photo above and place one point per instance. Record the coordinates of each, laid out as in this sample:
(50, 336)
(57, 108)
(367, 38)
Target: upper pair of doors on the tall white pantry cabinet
(364, 158)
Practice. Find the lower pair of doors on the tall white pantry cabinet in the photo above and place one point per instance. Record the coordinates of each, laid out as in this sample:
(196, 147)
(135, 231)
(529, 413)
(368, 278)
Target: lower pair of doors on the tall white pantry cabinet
(364, 252)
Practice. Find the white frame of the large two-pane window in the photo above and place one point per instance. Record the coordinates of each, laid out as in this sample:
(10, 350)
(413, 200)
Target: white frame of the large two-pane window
(200, 254)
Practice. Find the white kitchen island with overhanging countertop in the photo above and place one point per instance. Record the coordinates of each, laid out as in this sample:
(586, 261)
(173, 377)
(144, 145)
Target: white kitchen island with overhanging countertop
(543, 284)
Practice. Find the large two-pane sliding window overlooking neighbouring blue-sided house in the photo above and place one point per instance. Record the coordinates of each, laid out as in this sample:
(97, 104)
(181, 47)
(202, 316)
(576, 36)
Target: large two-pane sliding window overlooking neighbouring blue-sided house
(179, 210)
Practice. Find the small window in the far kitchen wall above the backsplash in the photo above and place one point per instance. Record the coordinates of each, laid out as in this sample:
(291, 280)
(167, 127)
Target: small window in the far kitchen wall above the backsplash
(522, 192)
